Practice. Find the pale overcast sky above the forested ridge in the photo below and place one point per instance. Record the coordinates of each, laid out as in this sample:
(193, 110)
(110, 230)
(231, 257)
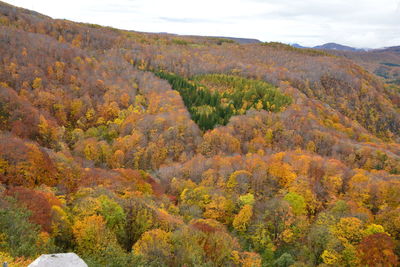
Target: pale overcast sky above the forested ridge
(359, 23)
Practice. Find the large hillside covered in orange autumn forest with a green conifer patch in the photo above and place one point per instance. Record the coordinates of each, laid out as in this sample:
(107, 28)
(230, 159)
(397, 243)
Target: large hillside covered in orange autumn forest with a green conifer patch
(140, 149)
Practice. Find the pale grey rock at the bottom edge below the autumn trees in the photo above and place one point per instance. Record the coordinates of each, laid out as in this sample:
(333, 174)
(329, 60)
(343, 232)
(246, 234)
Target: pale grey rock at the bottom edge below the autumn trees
(58, 260)
